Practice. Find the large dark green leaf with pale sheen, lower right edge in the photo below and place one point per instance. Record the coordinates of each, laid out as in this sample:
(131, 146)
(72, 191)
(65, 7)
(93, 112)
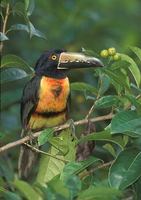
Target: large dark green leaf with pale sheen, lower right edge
(126, 169)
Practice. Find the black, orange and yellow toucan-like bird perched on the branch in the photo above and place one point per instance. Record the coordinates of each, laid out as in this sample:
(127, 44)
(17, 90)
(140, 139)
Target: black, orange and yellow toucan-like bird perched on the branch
(46, 97)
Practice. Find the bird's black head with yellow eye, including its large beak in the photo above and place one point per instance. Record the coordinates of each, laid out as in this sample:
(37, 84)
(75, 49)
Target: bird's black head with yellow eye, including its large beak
(55, 63)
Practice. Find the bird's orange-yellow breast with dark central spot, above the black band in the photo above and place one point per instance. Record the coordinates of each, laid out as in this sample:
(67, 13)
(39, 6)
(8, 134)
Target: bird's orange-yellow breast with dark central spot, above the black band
(53, 95)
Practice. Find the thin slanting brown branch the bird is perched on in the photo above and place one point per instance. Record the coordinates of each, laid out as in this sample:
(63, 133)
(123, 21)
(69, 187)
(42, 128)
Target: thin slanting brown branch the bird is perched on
(65, 126)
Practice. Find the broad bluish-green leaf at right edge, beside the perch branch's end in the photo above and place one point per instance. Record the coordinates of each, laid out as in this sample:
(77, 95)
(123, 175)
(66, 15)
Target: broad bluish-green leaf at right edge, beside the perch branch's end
(126, 121)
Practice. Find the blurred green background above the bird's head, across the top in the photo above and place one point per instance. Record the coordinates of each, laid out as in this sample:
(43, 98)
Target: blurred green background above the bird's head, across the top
(74, 24)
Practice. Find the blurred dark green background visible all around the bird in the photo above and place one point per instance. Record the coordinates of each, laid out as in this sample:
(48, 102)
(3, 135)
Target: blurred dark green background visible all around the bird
(69, 24)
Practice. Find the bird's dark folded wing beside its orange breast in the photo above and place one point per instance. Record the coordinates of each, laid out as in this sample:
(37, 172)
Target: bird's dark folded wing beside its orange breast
(29, 100)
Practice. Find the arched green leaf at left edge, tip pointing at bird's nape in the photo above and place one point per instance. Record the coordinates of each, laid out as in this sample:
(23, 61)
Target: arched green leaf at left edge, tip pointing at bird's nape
(16, 62)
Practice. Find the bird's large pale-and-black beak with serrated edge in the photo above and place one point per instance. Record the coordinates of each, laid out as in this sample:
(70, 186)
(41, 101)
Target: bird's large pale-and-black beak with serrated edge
(69, 60)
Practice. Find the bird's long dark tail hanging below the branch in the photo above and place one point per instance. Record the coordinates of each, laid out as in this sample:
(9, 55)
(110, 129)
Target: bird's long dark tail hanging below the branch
(26, 161)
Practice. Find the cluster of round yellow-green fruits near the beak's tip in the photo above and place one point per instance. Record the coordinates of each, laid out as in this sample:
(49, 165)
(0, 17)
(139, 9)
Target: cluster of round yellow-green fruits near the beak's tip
(111, 52)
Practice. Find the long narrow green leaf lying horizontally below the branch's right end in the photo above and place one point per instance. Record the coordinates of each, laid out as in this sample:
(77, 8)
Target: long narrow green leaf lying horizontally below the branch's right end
(103, 136)
